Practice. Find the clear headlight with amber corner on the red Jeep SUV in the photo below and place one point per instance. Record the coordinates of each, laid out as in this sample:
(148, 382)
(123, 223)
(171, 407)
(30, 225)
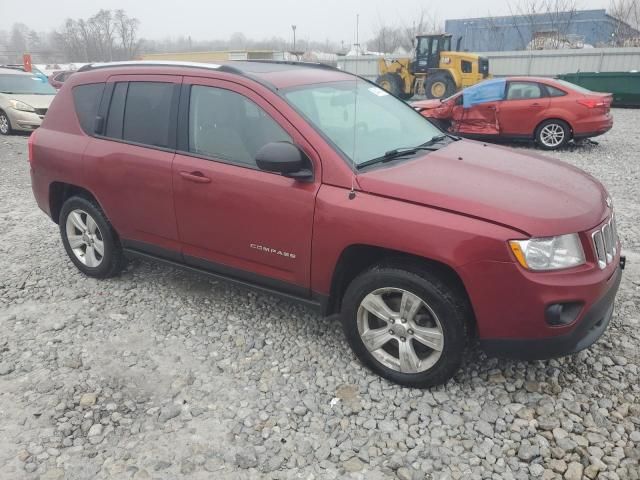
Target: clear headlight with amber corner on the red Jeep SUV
(550, 253)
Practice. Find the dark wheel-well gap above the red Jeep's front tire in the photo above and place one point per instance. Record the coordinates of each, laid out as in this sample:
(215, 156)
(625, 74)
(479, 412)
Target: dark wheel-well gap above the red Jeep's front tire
(355, 259)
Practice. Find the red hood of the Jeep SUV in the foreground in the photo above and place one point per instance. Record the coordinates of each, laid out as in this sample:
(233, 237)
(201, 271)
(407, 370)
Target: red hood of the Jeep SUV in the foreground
(538, 196)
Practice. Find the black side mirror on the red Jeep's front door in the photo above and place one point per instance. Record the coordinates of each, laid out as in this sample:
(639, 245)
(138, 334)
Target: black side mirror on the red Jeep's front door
(286, 159)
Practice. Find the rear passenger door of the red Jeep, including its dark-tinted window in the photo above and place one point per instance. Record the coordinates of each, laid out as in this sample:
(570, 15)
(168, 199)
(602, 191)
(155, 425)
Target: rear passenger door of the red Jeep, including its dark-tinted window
(128, 163)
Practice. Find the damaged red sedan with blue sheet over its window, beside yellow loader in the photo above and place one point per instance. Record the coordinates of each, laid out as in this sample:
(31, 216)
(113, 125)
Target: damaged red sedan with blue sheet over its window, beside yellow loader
(550, 112)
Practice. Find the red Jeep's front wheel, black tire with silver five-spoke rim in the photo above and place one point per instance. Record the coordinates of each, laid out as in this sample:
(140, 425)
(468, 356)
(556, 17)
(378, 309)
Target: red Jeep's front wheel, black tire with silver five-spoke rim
(406, 325)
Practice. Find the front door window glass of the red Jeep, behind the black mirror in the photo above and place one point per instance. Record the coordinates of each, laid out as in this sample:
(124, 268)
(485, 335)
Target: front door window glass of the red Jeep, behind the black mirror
(228, 126)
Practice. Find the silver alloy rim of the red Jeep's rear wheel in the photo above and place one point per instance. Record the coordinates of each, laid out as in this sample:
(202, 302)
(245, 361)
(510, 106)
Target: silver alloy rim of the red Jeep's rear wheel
(85, 238)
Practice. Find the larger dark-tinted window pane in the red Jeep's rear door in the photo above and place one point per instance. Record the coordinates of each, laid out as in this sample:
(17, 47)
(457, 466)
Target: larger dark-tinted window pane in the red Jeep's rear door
(147, 114)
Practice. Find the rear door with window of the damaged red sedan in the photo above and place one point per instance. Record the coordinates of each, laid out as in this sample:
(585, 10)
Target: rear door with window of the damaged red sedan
(523, 109)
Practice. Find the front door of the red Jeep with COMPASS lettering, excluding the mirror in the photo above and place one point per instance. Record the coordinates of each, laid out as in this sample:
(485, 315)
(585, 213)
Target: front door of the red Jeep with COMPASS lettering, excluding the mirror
(232, 217)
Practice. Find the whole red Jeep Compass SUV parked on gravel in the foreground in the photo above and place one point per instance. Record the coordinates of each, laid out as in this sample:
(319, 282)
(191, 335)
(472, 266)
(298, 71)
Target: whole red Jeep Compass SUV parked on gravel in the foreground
(312, 183)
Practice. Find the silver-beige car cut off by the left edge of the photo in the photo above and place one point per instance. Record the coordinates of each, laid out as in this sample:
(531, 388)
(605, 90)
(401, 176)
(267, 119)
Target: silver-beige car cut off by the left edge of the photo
(24, 100)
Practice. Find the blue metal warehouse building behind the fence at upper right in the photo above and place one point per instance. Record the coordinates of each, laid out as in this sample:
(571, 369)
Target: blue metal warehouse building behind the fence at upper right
(536, 31)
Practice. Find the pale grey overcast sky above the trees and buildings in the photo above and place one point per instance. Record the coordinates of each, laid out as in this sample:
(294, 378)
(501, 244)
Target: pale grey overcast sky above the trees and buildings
(208, 19)
